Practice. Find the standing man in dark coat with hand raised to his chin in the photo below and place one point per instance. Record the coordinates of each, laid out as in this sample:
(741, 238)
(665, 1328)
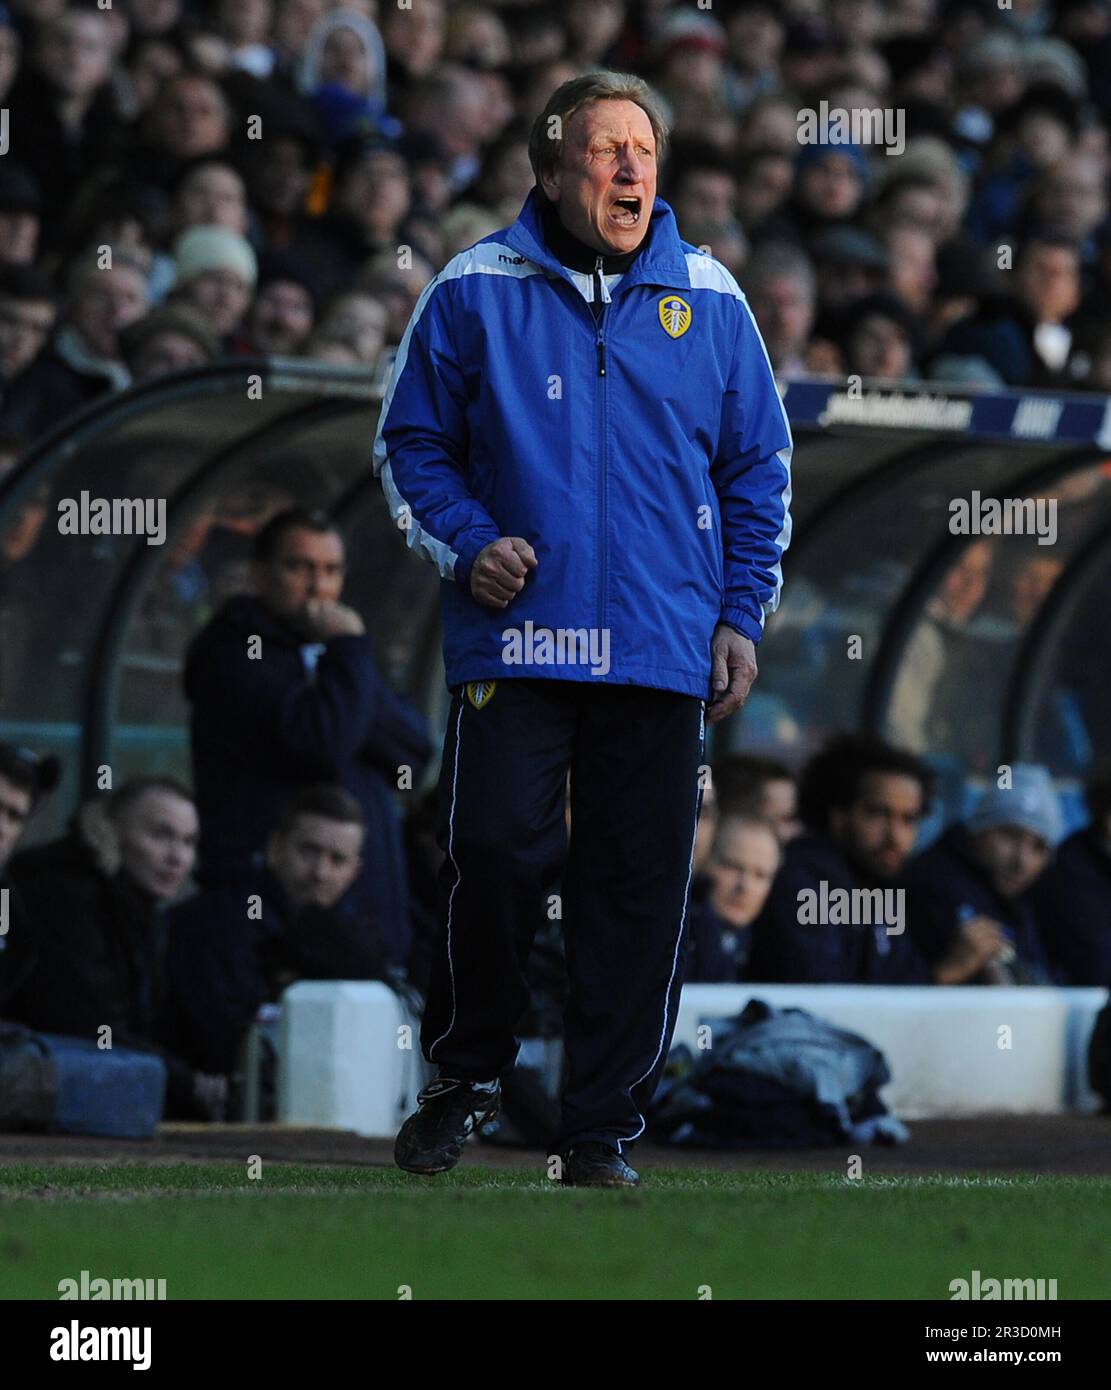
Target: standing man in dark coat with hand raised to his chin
(287, 694)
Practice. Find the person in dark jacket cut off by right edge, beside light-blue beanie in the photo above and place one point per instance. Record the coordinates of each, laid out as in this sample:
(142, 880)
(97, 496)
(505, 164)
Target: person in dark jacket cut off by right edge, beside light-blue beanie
(1073, 899)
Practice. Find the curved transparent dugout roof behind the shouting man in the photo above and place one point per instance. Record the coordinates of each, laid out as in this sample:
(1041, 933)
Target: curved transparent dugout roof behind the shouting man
(970, 647)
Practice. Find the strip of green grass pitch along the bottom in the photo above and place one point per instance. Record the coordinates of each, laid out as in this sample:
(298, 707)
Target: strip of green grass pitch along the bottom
(319, 1232)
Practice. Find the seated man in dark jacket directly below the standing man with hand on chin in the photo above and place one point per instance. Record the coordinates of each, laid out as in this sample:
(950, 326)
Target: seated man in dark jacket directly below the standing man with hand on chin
(234, 949)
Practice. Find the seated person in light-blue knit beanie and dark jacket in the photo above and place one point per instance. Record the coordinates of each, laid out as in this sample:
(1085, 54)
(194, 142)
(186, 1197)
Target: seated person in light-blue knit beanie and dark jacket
(977, 878)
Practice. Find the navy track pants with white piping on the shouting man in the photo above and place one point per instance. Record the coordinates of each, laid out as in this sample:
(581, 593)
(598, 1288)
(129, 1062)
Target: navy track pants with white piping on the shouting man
(635, 757)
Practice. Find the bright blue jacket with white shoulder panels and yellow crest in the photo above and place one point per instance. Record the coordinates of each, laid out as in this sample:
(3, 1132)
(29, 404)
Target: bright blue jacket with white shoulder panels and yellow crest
(646, 458)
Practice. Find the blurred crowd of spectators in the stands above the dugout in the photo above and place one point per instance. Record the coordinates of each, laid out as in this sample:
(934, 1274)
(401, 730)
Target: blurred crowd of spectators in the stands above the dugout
(286, 177)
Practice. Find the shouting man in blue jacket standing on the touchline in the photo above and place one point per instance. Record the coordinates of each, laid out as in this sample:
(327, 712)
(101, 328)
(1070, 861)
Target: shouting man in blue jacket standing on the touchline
(583, 433)
